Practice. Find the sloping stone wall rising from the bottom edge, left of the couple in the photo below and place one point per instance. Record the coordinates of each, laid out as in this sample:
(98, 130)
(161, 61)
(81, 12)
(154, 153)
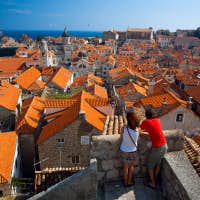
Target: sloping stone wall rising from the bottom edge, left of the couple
(82, 185)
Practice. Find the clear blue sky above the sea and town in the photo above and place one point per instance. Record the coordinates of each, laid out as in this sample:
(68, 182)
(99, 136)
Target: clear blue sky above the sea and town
(99, 14)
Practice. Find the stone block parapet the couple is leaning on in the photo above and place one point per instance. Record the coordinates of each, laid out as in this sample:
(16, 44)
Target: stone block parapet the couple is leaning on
(105, 149)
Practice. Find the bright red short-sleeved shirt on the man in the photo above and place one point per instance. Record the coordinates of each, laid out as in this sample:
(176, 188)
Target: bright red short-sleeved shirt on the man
(154, 128)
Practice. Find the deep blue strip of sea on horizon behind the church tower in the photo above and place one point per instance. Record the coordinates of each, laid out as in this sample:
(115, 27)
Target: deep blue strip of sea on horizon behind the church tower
(34, 33)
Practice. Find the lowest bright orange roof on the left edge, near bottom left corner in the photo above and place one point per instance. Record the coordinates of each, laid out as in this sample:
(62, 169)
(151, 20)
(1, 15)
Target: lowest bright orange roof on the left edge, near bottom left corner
(7, 151)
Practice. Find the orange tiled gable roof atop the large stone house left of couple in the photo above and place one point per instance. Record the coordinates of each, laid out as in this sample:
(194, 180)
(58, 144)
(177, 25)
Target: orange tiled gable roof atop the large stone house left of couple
(83, 101)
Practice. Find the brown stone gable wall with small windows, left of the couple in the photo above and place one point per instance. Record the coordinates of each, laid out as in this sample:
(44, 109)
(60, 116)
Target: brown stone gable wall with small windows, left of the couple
(69, 147)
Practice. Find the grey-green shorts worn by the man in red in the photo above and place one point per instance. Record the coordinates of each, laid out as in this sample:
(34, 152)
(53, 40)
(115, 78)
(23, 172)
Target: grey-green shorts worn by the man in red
(156, 156)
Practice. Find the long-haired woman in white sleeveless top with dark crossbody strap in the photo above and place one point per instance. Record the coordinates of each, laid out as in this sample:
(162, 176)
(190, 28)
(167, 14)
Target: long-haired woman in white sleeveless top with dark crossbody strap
(128, 147)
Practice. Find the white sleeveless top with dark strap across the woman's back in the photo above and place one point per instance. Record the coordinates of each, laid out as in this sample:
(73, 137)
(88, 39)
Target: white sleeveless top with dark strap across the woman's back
(127, 144)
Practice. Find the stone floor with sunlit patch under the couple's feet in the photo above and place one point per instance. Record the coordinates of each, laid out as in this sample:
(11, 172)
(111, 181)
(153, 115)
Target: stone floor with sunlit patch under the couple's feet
(116, 190)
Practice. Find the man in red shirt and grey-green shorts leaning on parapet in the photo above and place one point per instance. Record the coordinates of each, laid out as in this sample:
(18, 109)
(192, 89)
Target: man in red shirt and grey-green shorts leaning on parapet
(159, 145)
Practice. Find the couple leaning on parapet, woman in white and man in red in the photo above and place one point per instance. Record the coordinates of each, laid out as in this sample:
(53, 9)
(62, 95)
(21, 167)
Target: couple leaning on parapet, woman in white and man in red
(128, 148)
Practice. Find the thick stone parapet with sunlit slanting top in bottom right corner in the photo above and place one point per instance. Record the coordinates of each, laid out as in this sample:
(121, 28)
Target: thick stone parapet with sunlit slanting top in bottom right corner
(179, 179)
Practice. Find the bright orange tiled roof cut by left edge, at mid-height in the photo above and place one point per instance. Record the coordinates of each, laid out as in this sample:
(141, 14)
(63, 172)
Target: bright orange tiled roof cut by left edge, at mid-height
(9, 95)
